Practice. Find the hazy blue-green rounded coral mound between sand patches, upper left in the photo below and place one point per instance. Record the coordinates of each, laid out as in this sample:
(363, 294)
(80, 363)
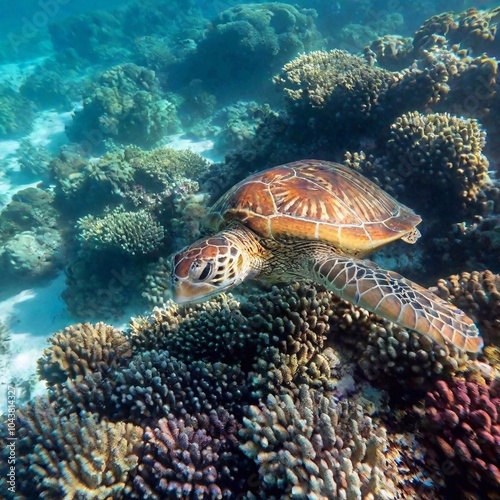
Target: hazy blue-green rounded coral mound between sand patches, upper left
(127, 106)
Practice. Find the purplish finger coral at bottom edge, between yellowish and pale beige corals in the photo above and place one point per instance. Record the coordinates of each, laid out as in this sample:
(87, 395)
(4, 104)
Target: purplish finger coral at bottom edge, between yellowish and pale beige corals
(195, 456)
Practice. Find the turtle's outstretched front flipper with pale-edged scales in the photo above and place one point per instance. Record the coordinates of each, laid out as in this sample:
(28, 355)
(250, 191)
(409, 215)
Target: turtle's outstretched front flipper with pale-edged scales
(399, 300)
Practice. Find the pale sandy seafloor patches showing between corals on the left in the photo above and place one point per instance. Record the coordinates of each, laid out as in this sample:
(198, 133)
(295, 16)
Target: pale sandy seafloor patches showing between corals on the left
(34, 314)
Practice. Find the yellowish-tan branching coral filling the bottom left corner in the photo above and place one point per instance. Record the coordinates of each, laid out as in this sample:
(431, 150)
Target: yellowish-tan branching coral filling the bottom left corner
(48, 443)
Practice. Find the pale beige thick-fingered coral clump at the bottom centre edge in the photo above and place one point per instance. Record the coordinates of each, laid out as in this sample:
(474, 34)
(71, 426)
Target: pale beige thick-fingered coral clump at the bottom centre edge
(312, 446)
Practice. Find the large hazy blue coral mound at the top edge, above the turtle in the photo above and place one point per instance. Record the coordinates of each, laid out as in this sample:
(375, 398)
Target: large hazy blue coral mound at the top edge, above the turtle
(245, 45)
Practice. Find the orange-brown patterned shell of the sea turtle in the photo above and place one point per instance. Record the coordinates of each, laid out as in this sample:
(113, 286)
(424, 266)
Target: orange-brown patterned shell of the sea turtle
(316, 200)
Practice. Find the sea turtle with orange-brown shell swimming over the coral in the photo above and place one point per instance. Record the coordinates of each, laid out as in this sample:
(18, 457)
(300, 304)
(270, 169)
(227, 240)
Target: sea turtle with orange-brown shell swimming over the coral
(315, 220)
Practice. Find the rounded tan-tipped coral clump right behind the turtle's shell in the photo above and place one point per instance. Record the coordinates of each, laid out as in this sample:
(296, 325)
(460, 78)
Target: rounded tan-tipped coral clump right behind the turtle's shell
(430, 158)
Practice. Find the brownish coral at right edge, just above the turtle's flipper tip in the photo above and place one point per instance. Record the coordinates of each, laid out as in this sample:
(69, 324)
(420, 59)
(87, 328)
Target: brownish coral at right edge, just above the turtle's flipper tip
(478, 294)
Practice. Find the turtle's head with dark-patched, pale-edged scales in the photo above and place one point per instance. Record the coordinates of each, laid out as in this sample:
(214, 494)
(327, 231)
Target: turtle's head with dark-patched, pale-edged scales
(210, 266)
